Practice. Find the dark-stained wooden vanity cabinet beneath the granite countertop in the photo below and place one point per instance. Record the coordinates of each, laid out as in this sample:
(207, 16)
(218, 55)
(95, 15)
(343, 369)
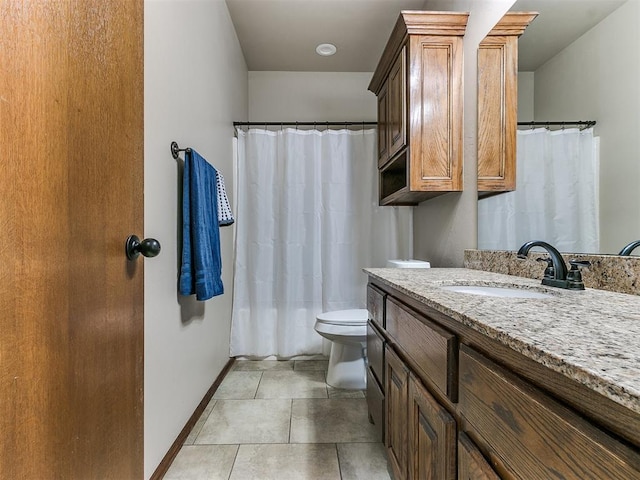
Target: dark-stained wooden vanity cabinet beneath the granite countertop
(454, 406)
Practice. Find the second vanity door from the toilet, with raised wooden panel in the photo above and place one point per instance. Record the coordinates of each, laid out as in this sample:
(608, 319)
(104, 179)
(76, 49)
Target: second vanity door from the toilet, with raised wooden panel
(432, 436)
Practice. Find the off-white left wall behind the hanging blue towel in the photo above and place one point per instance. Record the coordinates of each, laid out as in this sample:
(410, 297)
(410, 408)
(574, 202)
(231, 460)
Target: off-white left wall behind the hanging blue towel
(195, 87)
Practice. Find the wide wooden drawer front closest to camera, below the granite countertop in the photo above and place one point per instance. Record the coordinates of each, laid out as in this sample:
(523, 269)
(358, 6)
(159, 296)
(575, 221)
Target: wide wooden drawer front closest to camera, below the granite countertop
(530, 434)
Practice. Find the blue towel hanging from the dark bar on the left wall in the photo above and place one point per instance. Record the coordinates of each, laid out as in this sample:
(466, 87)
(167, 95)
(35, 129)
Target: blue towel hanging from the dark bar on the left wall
(201, 268)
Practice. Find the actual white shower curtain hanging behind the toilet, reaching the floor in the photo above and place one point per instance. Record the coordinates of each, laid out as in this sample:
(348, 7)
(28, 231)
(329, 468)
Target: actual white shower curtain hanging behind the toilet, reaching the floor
(308, 221)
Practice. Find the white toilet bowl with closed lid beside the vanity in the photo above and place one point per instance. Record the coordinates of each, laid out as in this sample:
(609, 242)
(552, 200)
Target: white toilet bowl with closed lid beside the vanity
(347, 331)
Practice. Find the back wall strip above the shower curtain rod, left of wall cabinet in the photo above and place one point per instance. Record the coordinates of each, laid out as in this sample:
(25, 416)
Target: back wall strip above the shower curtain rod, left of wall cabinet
(311, 96)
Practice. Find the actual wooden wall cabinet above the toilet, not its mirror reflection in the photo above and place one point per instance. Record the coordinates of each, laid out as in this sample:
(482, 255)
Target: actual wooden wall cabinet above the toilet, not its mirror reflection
(418, 83)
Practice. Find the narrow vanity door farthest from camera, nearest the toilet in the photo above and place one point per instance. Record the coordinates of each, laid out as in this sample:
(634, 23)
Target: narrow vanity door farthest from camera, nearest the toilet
(396, 396)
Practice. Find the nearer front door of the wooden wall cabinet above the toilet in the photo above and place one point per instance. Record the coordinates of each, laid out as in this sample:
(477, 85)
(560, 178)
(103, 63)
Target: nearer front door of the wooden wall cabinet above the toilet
(397, 105)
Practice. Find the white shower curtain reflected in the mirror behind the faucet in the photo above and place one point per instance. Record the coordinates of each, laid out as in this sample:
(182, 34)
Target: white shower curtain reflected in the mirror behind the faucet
(556, 196)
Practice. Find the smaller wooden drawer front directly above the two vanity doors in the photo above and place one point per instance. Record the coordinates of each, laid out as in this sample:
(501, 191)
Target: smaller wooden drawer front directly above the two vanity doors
(433, 350)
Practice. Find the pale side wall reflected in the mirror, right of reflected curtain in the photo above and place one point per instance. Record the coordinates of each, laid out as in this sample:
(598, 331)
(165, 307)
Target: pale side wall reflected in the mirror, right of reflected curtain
(598, 78)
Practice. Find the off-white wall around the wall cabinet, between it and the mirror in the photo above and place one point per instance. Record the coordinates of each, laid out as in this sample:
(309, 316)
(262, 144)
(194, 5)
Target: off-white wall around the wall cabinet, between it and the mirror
(446, 225)
